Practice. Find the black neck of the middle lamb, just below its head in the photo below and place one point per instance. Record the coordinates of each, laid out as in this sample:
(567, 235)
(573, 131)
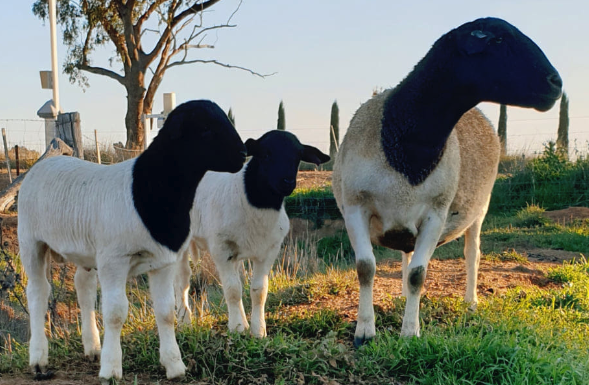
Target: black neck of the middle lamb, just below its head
(257, 191)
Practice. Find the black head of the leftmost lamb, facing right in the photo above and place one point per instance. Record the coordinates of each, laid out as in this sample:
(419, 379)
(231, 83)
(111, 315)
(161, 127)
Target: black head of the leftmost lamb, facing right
(200, 131)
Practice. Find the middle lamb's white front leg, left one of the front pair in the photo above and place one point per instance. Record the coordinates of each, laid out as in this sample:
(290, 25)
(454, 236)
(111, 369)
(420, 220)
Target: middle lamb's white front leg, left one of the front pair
(232, 290)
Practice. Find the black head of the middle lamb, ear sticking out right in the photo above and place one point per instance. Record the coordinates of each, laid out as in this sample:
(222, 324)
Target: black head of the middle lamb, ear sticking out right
(276, 157)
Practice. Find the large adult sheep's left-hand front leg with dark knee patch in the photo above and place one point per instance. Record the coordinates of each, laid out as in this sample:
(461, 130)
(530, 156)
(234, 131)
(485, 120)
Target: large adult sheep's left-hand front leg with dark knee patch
(357, 224)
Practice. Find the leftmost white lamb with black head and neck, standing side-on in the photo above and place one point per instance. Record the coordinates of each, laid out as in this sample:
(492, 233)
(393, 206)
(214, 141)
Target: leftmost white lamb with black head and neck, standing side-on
(119, 221)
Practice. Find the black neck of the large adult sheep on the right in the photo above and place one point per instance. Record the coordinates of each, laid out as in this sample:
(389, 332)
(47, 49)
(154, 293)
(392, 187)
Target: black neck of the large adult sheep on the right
(418, 117)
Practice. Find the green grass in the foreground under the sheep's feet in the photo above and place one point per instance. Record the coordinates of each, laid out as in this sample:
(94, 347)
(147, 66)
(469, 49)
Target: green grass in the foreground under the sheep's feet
(517, 338)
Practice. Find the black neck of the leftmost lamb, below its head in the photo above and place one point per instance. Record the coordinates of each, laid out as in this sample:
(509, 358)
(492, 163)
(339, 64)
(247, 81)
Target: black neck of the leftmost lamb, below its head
(163, 190)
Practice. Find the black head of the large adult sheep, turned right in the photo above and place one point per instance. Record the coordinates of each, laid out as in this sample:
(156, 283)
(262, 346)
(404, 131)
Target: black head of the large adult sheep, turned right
(495, 62)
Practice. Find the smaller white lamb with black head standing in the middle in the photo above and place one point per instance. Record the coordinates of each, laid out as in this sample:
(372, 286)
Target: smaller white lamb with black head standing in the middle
(242, 216)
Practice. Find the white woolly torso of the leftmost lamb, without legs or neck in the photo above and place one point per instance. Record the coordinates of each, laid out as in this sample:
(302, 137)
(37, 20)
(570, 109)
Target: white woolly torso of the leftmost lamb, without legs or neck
(75, 206)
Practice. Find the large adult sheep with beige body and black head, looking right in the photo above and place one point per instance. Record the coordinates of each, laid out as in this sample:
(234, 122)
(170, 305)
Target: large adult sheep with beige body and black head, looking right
(417, 165)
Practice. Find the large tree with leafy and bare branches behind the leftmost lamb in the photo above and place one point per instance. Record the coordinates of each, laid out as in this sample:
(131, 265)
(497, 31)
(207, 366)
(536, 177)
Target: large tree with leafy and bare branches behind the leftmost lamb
(149, 38)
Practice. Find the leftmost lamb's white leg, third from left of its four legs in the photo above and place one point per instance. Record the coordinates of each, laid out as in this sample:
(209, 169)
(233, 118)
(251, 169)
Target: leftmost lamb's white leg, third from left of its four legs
(112, 273)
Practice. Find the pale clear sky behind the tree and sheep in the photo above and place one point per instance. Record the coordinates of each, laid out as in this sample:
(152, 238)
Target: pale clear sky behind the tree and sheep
(318, 50)
